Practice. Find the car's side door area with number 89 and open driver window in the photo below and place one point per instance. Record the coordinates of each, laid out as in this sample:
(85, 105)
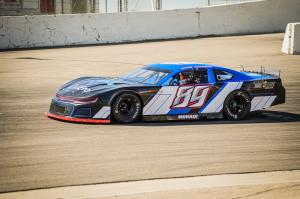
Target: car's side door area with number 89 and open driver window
(179, 97)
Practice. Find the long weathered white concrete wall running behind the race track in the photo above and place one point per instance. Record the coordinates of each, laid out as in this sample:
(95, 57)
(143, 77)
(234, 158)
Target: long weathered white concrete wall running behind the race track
(60, 30)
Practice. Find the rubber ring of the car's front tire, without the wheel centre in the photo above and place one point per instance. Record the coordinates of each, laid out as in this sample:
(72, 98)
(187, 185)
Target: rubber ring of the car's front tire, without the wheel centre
(115, 112)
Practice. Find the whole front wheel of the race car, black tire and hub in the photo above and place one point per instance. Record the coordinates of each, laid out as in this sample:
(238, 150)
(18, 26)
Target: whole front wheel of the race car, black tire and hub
(126, 108)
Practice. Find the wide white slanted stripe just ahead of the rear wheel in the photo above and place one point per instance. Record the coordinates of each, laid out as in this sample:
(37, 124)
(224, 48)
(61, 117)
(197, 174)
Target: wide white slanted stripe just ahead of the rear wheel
(217, 103)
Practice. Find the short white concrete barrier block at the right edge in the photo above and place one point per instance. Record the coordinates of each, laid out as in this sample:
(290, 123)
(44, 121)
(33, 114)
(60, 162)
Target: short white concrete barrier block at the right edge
(291, 42)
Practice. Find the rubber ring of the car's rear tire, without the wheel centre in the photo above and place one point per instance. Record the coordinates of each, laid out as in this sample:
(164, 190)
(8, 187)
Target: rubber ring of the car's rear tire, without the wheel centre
(246, 109)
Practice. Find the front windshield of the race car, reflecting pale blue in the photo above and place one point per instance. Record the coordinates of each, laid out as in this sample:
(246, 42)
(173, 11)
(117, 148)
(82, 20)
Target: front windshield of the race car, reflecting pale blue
(147, 75)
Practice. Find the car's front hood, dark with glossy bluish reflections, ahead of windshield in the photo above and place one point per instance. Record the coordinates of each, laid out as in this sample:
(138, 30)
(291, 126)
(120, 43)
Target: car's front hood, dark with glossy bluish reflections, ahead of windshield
(89, 86)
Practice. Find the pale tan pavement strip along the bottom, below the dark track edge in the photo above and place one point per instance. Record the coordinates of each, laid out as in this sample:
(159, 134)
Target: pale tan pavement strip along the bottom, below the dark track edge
(275, 185)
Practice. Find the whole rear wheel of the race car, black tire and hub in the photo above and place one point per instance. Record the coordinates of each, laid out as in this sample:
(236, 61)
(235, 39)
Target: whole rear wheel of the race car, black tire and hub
(237, 105)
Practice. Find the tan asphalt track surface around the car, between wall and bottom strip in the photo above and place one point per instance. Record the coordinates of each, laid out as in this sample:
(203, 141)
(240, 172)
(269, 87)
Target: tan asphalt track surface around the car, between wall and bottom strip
(37, 152)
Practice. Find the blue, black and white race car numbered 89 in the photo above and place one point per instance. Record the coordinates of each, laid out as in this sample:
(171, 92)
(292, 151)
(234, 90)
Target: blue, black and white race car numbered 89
(167, 91)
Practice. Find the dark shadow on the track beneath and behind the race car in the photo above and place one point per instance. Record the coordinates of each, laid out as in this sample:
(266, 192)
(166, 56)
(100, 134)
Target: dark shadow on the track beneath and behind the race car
(255, 117)
